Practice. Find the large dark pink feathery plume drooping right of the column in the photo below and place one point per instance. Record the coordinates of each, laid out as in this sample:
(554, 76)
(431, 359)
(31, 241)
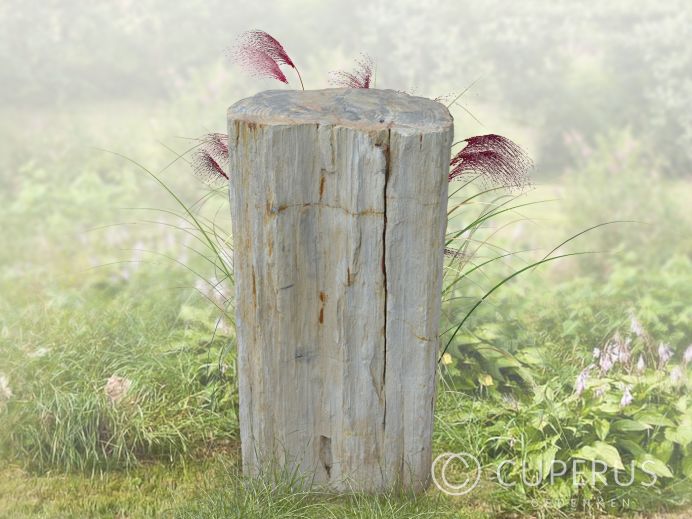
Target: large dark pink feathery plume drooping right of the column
(496, 158)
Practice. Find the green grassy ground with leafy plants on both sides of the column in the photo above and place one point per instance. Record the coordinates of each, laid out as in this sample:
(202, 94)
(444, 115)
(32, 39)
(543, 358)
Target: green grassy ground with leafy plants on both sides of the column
(118, 393)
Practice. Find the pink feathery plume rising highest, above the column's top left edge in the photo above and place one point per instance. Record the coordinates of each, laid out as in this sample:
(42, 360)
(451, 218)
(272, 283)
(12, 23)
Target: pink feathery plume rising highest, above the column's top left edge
(262, 55)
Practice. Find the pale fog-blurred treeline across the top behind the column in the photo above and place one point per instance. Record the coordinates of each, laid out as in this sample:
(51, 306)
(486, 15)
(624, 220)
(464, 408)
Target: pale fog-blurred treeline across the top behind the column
(567, 73)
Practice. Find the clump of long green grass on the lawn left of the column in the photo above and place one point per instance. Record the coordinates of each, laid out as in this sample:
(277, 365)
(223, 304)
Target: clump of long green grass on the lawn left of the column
(112, 384)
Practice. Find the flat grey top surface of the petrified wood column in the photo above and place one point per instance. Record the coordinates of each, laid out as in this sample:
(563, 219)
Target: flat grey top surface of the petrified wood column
(365, 108)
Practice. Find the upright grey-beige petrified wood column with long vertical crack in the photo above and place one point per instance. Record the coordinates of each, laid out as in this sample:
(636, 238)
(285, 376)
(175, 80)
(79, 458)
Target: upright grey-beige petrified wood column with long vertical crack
(339, 202)
